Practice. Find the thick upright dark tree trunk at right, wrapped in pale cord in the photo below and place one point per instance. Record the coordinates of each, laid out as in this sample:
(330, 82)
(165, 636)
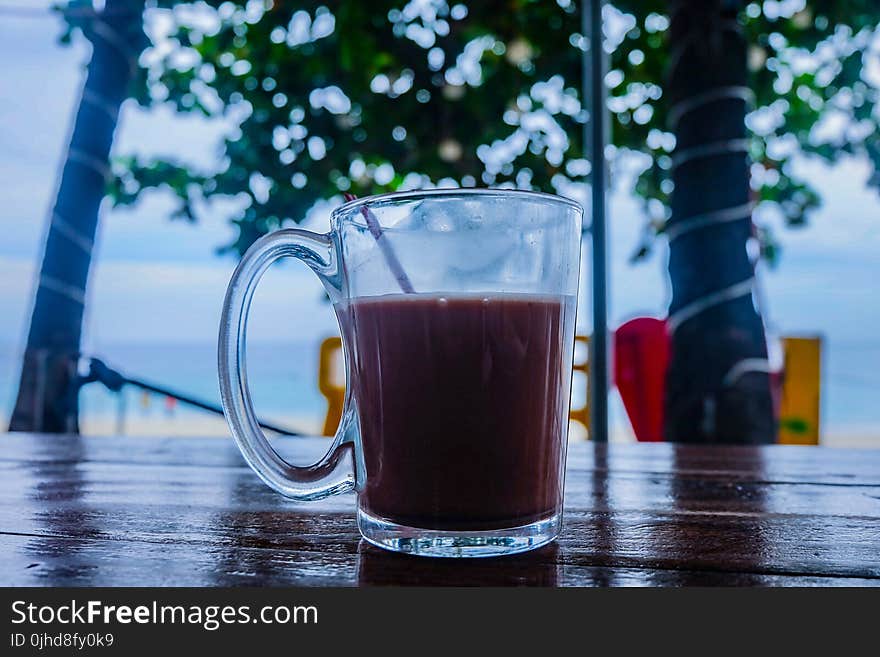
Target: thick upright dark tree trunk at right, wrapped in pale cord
(717, 387)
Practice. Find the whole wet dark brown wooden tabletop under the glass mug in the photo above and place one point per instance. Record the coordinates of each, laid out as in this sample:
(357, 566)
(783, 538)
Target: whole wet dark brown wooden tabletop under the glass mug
(189, 512)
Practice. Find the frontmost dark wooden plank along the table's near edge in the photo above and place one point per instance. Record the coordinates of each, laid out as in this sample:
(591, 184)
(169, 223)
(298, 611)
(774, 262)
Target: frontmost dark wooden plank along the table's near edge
(33, 561)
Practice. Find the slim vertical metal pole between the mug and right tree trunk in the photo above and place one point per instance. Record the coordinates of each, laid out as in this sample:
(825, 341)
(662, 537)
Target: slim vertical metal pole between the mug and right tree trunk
(594, 64)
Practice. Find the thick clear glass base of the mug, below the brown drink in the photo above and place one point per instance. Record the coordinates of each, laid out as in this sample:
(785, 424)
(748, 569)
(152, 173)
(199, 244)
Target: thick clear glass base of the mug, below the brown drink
(456, 544)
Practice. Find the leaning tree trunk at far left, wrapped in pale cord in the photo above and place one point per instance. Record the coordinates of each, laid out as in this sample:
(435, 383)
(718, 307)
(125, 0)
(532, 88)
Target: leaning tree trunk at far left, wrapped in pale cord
(47, 400)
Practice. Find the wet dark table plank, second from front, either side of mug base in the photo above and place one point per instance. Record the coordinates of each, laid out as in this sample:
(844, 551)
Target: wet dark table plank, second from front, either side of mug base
(774, 544)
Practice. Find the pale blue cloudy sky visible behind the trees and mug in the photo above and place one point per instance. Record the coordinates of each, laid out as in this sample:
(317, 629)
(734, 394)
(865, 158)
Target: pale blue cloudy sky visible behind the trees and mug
(161, 281)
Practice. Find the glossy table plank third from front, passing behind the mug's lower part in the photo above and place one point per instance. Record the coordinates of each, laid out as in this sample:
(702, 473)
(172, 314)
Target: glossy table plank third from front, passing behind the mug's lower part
(111, 482)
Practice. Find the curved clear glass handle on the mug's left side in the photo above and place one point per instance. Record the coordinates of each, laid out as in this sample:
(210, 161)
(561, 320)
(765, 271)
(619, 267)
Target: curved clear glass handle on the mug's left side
(334, 472)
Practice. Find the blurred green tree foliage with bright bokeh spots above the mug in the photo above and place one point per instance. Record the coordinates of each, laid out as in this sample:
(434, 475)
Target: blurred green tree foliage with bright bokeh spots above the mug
(329, 97)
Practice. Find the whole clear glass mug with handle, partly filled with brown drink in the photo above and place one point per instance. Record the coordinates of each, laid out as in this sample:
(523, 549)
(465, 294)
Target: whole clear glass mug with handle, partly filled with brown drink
(457, 313)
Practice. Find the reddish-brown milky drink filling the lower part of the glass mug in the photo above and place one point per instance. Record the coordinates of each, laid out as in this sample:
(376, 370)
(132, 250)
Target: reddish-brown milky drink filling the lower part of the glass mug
(463, 404)
